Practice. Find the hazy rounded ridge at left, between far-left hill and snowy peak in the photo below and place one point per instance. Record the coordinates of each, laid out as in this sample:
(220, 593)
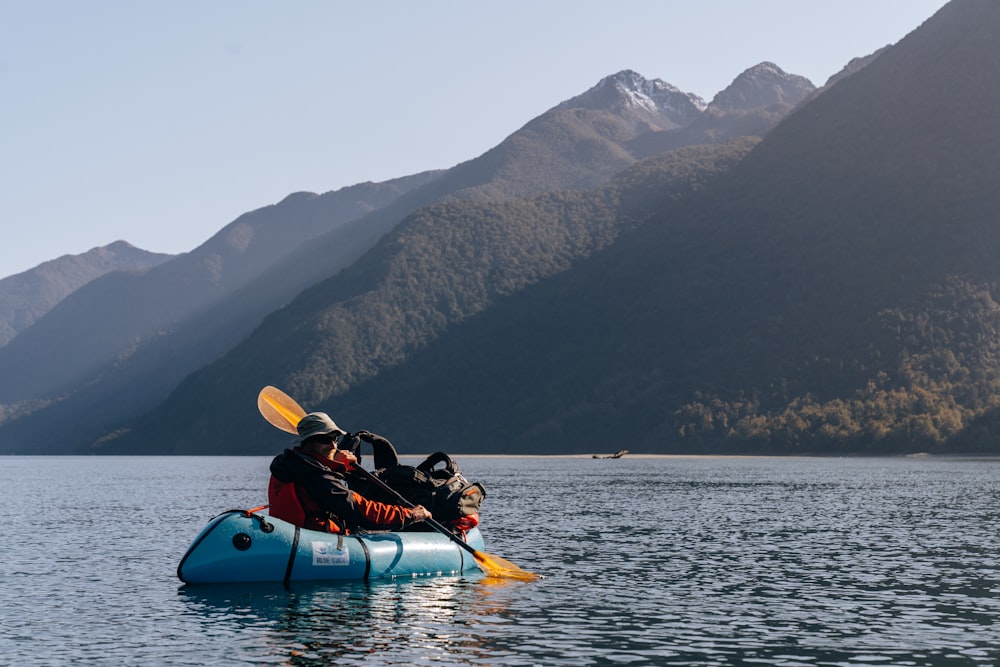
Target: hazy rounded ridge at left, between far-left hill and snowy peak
(116, 338)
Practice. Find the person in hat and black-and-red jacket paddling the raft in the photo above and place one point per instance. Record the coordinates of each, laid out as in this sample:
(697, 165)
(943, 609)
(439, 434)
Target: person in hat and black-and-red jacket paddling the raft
(308, 486)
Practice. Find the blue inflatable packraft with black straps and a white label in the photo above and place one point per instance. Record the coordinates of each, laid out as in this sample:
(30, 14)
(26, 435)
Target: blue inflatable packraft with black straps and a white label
(238, 546)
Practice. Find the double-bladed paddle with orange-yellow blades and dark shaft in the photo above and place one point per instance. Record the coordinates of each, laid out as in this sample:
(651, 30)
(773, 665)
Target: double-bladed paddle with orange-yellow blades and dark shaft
(281, 411)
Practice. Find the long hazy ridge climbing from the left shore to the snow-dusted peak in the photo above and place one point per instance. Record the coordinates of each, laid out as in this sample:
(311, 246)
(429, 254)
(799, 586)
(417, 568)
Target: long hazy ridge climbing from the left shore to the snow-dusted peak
(156, 327)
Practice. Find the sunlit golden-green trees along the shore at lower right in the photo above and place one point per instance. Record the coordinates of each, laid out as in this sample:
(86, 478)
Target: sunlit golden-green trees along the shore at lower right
(943, 377)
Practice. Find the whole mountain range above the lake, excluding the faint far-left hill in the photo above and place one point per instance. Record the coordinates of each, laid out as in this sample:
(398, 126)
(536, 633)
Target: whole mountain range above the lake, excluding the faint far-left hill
(782, 270)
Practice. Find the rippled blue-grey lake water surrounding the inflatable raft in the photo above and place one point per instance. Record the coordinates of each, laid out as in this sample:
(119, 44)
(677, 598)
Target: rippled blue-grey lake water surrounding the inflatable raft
(647, 561)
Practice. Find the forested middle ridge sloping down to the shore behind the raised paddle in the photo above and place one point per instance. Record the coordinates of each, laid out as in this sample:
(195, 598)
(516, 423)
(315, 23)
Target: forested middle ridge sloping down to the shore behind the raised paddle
(443, 265)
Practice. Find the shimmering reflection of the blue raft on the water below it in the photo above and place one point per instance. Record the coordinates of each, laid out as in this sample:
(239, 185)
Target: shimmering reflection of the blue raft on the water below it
(318, 624)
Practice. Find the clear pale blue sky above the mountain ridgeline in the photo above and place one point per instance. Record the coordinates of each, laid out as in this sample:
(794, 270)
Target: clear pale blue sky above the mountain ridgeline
(159, 122)
